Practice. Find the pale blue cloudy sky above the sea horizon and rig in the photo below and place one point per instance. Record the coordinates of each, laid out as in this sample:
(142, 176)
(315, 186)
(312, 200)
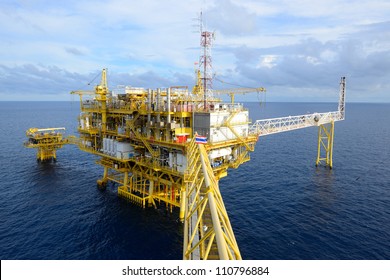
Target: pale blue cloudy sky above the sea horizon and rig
(297, 50)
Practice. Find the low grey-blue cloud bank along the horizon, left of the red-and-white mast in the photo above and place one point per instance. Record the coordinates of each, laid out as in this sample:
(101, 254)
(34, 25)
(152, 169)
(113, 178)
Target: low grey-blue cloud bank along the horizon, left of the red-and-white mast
(30, 81)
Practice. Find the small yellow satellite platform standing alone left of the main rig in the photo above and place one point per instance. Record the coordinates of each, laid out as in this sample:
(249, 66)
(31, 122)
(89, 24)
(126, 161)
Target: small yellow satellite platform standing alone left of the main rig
(46, 140)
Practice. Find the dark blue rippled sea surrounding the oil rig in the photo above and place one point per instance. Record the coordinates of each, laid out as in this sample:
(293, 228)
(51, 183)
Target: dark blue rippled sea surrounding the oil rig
(280, 205)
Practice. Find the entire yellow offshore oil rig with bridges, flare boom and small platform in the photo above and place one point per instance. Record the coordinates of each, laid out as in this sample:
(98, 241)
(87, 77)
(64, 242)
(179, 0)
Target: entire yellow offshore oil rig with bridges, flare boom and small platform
(170, 146)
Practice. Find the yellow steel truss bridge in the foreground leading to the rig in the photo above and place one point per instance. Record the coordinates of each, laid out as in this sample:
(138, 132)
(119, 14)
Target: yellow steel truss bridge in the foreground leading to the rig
(208, 234)
